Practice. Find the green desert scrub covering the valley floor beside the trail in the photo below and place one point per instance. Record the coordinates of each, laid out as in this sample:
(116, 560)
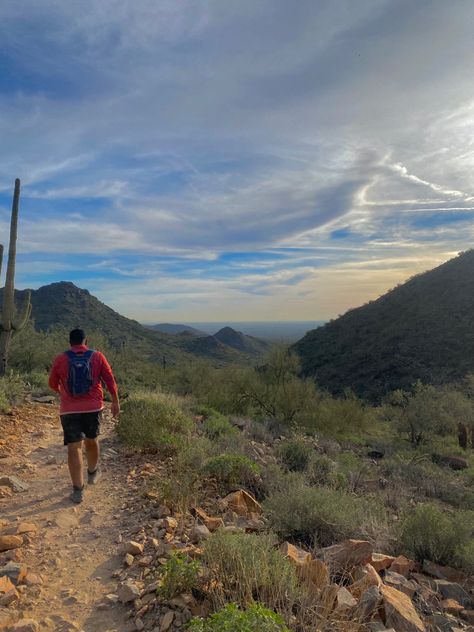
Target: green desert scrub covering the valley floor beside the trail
(324, 469)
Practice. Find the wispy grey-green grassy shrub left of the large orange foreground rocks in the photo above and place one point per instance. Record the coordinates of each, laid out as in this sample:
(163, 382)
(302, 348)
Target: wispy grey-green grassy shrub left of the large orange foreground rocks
(248, 567)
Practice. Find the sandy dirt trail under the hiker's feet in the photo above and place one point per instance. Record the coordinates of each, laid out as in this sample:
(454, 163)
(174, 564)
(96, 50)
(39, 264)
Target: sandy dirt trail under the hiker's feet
(75, 550)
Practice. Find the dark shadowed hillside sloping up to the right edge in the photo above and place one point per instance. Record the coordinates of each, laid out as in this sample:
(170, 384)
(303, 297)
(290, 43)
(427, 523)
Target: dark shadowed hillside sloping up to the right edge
(423, 329)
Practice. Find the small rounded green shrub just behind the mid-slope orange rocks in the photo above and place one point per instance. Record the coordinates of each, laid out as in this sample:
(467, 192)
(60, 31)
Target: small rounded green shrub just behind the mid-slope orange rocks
(232, 470)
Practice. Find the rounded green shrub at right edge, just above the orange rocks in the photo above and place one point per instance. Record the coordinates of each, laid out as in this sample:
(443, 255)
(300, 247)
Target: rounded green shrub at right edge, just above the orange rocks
(429, 533)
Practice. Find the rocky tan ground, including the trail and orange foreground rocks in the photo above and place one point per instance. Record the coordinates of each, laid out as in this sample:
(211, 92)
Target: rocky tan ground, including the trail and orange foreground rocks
(96, 567)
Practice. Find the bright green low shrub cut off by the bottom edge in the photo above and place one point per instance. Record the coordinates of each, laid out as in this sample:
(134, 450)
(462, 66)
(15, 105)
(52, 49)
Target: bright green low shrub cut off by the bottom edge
(255, 617)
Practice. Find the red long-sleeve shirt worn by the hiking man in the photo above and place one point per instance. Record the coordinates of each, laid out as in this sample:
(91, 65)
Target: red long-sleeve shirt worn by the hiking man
(94, 399)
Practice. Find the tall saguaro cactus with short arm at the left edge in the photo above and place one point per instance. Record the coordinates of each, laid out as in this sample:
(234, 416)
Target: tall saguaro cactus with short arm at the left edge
(11, 323)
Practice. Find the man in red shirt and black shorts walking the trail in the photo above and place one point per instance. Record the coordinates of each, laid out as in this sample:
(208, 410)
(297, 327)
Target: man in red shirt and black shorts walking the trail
(76, 375)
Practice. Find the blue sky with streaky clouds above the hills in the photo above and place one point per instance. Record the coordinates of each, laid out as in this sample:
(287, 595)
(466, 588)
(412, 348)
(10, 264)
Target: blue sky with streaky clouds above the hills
(206, 160)
